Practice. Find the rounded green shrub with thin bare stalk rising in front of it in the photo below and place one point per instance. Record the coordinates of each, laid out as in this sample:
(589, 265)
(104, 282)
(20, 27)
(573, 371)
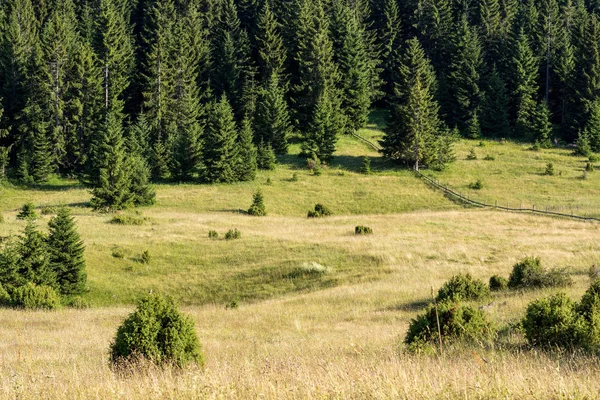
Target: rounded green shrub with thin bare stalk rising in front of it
(457, 322)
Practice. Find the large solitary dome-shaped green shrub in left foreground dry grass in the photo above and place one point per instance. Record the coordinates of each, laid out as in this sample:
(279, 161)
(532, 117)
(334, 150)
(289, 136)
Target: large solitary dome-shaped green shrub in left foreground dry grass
(158, 332)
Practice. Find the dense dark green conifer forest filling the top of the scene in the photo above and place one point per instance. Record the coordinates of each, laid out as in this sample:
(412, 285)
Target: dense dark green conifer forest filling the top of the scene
(120, 92)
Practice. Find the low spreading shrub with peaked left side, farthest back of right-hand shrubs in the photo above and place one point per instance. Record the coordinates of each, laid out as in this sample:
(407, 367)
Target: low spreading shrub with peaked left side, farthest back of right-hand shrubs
(529, 273)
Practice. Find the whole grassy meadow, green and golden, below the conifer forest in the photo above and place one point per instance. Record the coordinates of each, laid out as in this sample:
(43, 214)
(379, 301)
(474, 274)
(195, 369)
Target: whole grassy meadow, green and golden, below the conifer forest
(322, 312)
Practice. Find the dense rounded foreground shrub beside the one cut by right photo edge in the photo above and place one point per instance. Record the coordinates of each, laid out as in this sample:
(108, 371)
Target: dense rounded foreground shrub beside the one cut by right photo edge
(554, 321)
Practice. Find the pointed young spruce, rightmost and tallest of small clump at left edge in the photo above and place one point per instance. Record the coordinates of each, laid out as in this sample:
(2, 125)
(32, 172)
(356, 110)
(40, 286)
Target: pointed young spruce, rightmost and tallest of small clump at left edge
(66, 253)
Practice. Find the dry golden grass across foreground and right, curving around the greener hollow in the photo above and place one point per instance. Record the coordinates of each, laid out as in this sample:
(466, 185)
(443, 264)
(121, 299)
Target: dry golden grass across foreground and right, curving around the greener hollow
(342, 342)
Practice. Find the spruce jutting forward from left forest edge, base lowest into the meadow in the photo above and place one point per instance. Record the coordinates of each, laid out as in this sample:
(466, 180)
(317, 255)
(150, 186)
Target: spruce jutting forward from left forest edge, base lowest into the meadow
(112, 191)
